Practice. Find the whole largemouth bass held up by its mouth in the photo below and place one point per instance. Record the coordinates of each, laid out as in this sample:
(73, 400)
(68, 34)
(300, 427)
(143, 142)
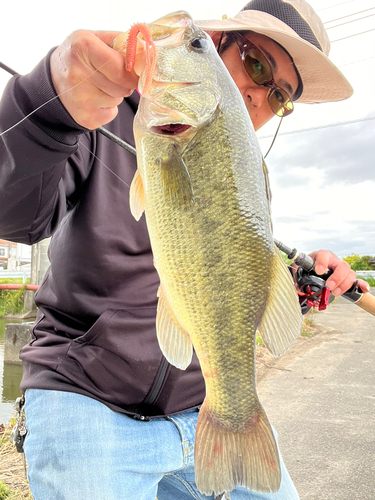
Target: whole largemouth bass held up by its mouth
(201, 185)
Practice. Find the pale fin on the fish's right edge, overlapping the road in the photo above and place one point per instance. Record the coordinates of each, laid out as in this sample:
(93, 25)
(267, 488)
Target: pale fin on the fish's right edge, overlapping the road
(282, 320)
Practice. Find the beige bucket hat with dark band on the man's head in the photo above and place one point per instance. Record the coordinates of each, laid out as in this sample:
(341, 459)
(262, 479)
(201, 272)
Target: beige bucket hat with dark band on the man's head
(294, 25)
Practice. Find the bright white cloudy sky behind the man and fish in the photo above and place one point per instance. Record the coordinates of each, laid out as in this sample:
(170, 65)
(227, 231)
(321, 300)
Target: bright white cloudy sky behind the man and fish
(322, 165)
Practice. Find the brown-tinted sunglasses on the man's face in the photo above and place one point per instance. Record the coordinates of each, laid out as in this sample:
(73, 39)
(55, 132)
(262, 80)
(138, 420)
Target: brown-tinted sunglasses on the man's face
(259, 69)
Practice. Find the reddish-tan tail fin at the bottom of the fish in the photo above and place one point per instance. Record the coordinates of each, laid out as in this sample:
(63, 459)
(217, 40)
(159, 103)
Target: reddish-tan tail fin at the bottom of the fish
(225, 458)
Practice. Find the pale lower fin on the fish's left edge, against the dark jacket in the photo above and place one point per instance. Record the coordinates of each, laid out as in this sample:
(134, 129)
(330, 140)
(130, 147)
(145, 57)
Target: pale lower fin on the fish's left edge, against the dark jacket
(174, 342)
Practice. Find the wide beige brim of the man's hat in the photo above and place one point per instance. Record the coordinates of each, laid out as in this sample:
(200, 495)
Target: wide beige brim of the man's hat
(322, 80)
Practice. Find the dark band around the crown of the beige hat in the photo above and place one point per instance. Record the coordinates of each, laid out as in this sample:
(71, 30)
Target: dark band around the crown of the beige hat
(288, 15)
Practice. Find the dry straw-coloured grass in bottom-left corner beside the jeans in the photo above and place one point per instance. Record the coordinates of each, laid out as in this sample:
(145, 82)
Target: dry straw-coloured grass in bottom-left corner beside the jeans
(13, 485)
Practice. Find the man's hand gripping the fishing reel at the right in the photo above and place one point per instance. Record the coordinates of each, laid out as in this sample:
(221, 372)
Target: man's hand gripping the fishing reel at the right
(342, 277)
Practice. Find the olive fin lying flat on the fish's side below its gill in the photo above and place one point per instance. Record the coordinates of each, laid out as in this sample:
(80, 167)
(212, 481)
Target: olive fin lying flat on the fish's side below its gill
(176, 178)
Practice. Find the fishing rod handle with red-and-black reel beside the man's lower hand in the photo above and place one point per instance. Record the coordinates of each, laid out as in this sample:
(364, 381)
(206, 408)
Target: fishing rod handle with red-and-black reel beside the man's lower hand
(312, 289)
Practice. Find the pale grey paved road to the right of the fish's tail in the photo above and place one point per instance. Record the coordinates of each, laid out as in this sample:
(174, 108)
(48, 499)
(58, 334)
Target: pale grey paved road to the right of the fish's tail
(320, 397)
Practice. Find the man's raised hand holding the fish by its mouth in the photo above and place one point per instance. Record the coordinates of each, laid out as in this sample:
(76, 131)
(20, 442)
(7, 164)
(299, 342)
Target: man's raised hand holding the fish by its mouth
(90, 77)
